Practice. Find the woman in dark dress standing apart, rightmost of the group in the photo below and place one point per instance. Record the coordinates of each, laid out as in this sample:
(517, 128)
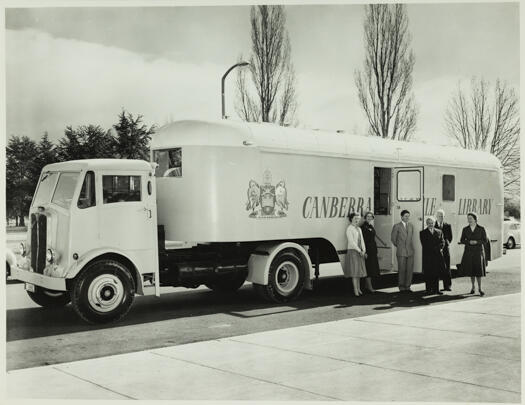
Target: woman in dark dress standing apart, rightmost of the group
(474, 261)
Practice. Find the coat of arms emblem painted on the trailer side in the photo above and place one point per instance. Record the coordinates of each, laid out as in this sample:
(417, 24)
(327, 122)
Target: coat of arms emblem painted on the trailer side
(267, 200)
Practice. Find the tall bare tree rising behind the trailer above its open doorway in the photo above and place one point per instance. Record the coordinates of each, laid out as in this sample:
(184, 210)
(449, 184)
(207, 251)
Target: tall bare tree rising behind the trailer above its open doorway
(385, 83)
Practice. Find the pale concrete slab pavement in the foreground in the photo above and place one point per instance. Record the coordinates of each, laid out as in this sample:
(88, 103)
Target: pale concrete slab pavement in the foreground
(465, 351)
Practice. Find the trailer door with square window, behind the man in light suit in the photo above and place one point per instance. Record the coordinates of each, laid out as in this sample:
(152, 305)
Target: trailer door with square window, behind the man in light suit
(408, 194)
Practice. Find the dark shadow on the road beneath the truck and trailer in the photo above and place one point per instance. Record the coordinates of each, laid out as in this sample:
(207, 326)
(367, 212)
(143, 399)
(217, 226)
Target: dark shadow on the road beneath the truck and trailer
(30, 323)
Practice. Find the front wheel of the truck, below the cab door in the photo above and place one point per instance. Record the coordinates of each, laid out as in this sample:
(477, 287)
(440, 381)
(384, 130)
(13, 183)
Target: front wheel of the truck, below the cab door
(103, 292)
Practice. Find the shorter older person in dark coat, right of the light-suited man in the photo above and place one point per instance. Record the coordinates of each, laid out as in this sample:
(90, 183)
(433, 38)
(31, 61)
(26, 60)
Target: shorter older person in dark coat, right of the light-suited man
(433, 243)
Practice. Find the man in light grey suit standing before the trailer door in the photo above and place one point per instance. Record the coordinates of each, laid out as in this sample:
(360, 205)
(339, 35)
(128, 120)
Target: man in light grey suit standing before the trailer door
(402, 234)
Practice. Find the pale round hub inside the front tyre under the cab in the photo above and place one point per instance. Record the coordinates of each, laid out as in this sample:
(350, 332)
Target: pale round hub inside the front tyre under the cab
(105, 293)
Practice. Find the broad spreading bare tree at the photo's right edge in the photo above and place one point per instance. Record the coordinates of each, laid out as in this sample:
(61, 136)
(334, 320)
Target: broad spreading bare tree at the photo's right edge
(477, 123)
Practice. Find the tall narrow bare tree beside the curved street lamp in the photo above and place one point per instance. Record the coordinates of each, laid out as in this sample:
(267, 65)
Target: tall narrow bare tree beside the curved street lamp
(271, 71)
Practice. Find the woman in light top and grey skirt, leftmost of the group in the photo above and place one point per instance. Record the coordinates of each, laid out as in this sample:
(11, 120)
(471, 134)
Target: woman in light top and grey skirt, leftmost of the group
(356, 253)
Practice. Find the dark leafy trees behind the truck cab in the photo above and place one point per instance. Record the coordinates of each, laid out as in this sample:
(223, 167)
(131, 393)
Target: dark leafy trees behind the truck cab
(127, 139)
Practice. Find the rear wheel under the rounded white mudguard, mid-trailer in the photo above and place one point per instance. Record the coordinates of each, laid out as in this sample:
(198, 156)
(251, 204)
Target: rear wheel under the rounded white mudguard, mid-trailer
(285, 278)
